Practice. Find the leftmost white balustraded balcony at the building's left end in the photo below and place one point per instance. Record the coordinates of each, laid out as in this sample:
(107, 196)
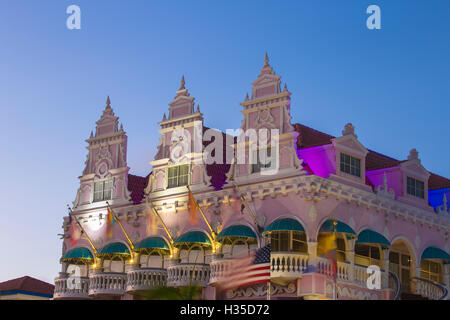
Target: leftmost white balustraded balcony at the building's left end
(77, 288)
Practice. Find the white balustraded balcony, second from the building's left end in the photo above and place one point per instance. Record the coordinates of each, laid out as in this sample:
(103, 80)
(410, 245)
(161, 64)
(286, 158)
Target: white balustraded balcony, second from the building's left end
(107, 284)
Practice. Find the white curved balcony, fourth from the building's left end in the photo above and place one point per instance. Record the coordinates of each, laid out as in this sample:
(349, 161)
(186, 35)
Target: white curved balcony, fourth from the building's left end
(185, 274)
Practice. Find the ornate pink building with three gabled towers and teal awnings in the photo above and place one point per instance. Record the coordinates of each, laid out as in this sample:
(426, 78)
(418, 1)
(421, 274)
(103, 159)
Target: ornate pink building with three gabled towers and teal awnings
(377, 207)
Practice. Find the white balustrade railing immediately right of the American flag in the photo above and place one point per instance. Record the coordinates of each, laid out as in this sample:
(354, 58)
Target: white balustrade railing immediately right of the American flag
(288, 264)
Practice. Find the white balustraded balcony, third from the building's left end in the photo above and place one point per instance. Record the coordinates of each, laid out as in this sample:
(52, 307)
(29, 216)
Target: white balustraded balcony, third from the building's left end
(145, 279)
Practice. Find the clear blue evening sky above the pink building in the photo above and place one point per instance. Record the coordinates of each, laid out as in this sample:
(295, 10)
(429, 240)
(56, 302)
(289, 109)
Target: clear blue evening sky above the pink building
(393, 84)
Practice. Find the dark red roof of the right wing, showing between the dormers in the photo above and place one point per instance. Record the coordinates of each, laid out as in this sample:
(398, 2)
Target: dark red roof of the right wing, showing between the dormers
(310, 138)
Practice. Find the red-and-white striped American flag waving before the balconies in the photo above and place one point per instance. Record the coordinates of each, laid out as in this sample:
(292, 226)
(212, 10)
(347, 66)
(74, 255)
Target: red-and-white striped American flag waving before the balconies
(252, 269)
